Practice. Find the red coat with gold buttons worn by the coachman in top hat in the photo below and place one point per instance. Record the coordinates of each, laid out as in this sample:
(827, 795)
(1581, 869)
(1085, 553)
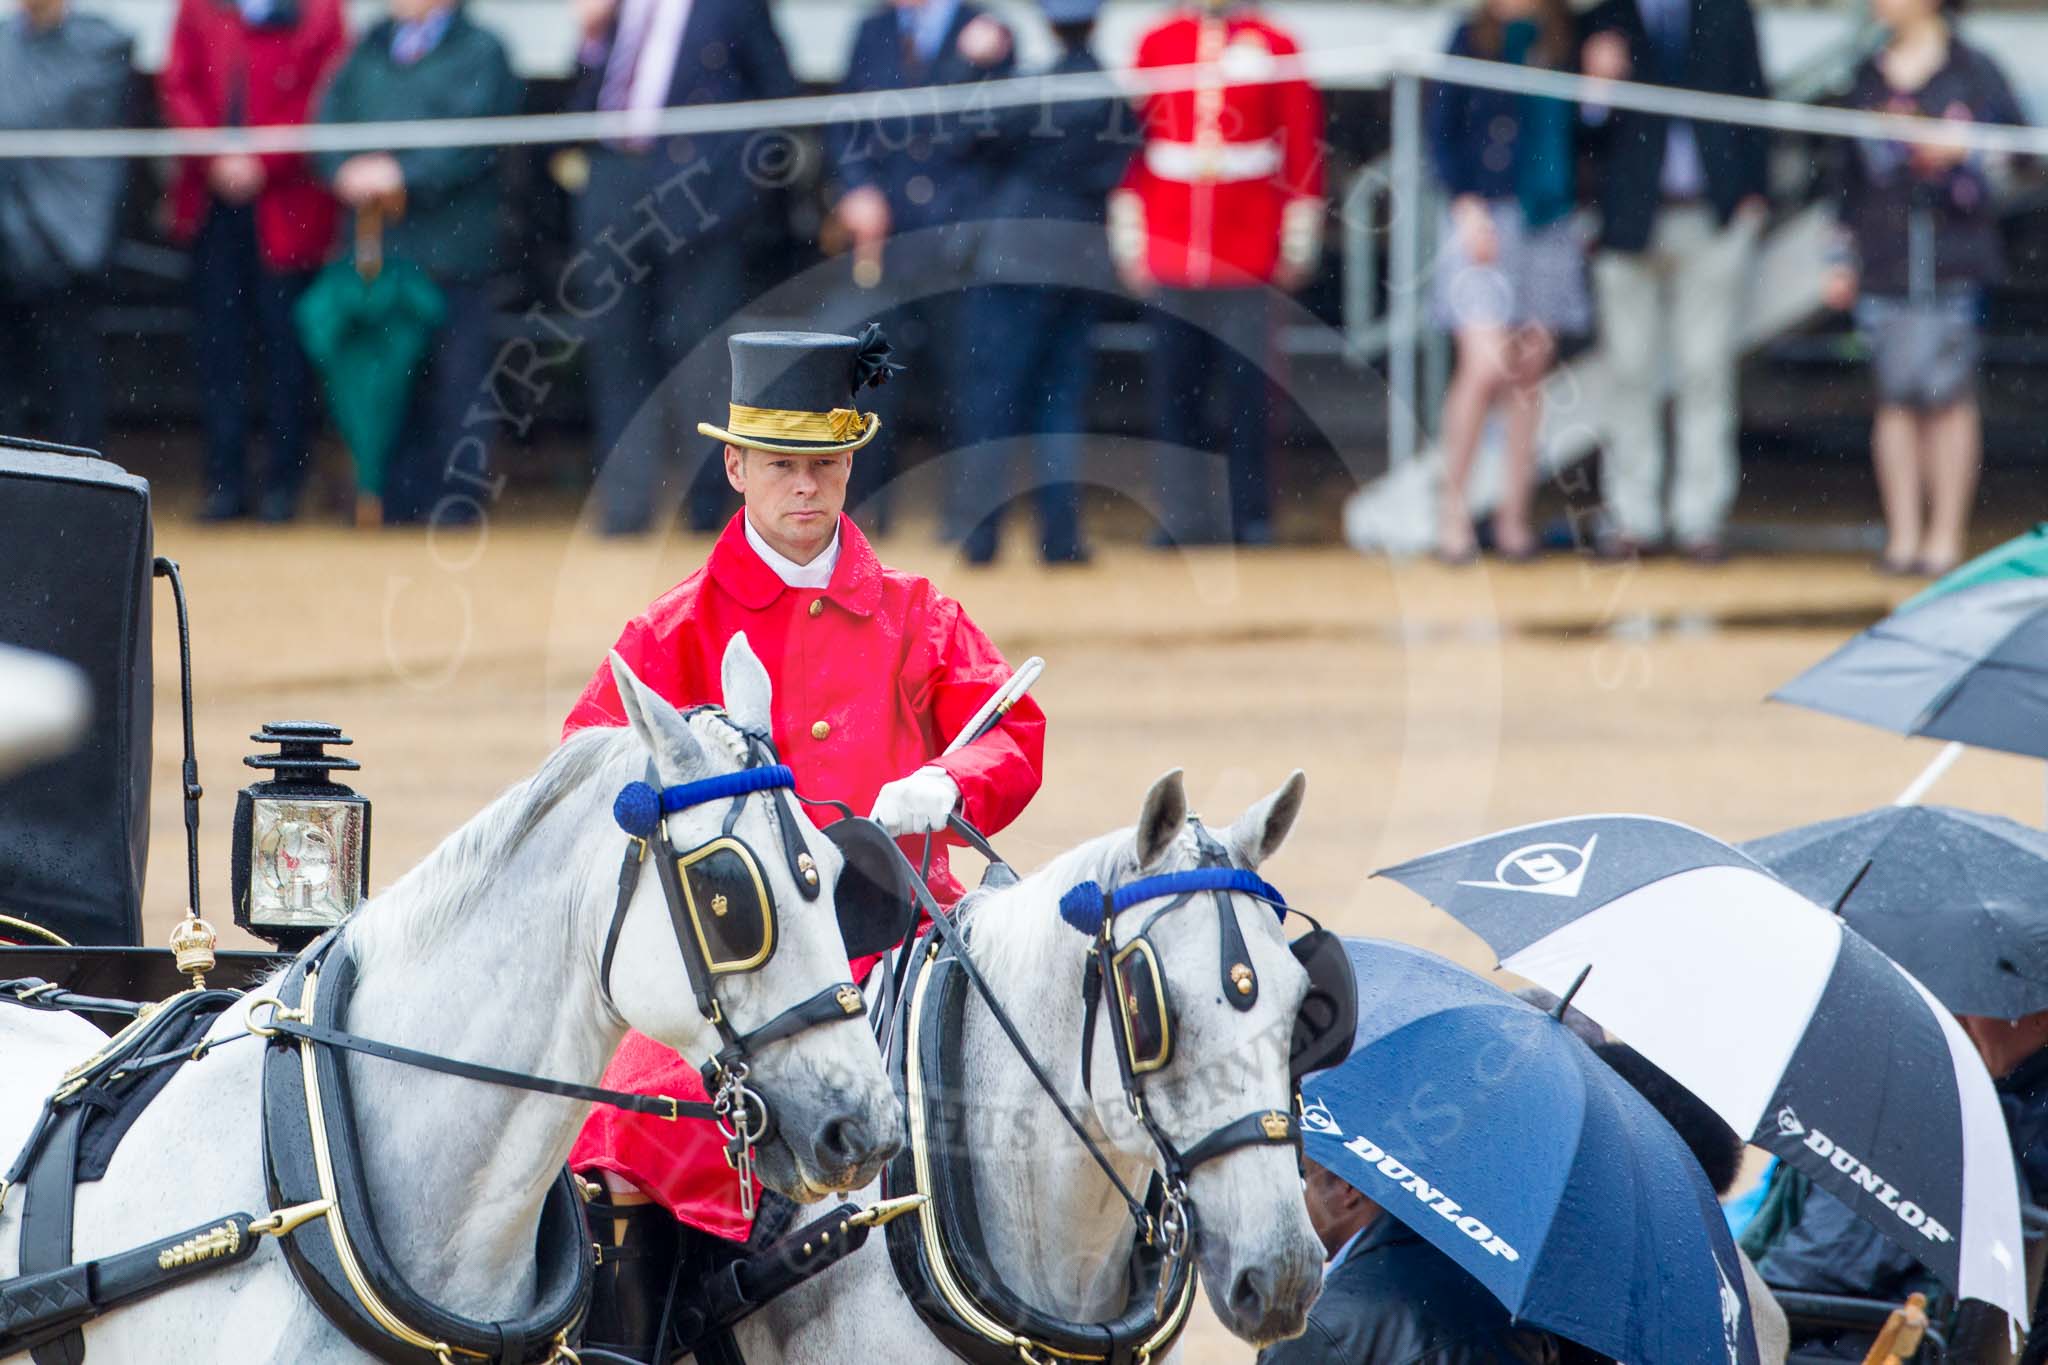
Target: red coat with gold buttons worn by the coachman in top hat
(873, 676)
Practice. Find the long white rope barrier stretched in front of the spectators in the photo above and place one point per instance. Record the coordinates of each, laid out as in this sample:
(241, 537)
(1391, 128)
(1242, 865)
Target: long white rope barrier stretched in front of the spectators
(1357, 69)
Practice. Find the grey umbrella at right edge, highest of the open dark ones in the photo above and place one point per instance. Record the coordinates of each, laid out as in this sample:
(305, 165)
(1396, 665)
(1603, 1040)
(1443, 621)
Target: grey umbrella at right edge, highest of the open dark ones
(1967, 666)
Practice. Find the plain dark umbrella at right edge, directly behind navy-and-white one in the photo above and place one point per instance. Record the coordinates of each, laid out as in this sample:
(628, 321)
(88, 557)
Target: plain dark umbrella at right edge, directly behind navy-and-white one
(1955, 897)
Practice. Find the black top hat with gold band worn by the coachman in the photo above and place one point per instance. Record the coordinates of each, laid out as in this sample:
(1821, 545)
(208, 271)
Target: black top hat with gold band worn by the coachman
(794, 392)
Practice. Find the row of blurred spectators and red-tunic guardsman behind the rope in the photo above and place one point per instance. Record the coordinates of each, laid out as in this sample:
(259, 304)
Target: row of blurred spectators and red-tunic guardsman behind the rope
(1002, 234)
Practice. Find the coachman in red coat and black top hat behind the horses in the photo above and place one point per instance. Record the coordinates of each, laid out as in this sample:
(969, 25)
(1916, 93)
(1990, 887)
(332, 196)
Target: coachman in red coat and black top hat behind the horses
(876, 672)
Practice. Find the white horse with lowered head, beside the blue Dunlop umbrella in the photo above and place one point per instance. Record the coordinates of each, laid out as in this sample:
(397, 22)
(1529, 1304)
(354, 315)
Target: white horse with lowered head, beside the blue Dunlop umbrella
(1056, 1231)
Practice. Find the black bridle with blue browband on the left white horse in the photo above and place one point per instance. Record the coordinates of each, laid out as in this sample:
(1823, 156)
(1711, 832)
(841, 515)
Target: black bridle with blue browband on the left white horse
(722, 881)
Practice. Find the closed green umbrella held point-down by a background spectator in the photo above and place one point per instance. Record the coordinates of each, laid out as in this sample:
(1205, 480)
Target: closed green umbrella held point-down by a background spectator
(368, 324)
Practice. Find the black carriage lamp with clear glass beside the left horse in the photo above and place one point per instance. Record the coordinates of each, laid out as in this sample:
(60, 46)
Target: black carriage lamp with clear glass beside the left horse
(302, 842)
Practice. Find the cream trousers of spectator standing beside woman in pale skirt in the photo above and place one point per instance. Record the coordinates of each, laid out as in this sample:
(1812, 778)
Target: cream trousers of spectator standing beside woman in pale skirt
(1684, 300)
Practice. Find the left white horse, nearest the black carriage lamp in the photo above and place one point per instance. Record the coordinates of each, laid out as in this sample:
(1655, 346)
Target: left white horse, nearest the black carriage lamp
(488, 953)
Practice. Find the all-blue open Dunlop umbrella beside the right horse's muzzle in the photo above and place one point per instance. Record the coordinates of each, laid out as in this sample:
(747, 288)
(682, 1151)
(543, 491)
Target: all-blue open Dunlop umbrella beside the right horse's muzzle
(1494, 1133)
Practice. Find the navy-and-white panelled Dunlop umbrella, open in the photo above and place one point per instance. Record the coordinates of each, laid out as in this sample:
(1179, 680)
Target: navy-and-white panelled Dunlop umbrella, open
(1803, 1037)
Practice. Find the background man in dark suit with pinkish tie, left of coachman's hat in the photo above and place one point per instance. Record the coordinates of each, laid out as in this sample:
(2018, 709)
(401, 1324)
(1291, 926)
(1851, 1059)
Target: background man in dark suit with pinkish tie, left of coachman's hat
(669, 218)
